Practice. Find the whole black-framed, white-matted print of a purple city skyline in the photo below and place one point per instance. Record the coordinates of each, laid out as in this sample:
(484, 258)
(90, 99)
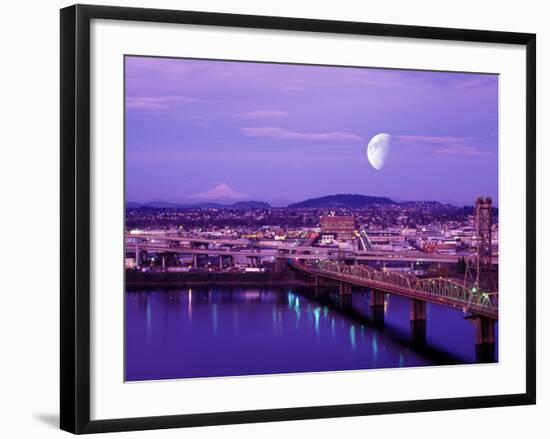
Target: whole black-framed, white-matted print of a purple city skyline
(268, 218)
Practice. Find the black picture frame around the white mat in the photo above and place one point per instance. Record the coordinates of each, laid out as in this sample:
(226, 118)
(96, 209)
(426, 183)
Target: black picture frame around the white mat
(75, 217)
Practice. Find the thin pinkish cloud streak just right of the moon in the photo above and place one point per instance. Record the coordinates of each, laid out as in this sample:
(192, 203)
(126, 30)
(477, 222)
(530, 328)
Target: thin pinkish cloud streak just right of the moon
(444, 144)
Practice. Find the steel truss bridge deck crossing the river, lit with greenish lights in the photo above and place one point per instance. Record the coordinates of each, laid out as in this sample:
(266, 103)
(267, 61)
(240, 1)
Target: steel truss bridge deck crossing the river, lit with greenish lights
(440, 291)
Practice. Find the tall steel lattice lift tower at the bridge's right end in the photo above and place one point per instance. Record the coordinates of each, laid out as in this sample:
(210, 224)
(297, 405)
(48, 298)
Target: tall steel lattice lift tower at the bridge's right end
(479, 267)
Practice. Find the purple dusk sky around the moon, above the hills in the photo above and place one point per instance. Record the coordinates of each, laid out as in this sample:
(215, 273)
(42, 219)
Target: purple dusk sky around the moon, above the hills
(210, 130)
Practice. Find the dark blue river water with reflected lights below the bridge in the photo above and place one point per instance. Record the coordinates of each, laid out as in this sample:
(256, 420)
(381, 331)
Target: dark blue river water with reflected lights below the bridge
(208, 332)
